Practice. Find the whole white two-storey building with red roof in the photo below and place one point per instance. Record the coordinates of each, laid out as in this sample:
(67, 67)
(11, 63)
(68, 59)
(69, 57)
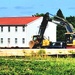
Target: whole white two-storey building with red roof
(18, 31)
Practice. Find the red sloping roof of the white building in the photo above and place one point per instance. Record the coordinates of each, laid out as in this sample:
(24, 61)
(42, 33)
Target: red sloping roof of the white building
(5, 21)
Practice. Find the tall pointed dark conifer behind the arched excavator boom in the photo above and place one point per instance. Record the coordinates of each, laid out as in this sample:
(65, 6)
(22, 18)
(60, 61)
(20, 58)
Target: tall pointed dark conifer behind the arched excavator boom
(60, 30)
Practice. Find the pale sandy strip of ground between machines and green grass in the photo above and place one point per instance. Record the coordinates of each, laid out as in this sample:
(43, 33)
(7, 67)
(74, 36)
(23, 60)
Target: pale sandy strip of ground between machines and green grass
(29, 52)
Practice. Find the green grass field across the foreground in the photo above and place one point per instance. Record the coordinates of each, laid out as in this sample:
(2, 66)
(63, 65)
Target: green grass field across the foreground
(49, 66)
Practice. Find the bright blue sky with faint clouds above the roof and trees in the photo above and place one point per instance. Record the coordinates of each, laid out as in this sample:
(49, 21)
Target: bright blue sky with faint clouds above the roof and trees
(10, 8)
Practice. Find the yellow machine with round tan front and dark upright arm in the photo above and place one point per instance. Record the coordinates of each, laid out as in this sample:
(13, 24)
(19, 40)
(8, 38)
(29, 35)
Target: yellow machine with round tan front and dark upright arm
(39, 41)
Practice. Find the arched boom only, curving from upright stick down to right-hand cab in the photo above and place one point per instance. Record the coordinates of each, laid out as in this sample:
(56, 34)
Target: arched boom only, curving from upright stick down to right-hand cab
(68, 26)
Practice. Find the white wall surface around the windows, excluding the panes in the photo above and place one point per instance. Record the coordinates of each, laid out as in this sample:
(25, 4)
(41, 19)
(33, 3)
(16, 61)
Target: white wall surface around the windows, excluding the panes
(12, 35)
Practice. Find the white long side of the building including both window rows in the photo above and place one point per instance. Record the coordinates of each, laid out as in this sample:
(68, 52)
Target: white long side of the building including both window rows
(11, 36)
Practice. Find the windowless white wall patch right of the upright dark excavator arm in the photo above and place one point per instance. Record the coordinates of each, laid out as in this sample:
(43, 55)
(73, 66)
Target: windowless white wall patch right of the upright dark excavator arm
(51, 32)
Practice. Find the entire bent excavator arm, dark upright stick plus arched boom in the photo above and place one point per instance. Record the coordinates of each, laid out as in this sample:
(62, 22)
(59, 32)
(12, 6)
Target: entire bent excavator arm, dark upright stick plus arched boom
(63, 22)
